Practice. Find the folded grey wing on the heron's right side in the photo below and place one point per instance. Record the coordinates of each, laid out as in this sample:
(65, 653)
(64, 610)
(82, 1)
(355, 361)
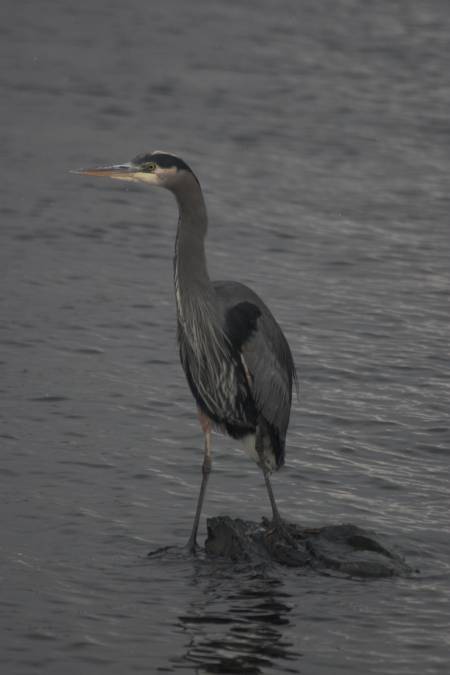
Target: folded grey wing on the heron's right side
(266, 355)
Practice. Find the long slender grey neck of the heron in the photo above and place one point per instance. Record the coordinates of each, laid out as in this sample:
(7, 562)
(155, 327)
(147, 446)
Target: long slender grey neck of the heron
(190, 269)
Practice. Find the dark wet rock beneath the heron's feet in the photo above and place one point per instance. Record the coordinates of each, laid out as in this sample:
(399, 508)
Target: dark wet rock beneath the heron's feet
(343, 548)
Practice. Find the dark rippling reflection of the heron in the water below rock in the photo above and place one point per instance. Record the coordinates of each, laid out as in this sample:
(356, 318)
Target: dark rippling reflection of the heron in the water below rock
(236, 623)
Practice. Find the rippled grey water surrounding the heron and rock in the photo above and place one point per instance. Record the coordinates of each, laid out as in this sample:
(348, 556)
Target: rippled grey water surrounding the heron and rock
(320, 132)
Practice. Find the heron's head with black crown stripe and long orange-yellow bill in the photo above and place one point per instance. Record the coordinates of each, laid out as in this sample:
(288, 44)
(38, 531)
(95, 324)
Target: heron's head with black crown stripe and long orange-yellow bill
(155, 168)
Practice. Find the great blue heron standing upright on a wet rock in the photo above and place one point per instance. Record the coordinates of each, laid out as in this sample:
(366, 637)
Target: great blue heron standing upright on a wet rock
(236, 359)
